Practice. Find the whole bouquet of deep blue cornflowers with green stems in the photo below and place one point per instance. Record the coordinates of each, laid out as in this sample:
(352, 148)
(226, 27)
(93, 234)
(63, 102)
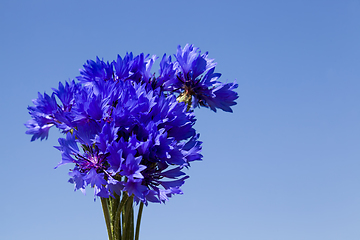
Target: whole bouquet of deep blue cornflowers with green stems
(130, 133)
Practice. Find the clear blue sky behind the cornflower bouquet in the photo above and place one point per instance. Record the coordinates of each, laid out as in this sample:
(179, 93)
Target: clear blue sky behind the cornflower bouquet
(284, 166)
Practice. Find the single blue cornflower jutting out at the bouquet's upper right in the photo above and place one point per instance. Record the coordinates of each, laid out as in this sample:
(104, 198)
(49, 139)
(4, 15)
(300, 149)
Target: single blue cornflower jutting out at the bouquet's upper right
(197, 82)
